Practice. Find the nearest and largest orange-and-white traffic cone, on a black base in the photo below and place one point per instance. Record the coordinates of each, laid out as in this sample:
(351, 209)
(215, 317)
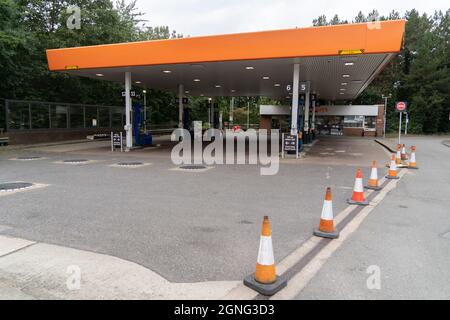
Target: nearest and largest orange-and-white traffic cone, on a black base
(265, 279)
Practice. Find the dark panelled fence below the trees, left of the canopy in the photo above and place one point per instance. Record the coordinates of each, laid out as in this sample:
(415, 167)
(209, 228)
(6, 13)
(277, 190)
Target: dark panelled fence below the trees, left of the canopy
(38, 115)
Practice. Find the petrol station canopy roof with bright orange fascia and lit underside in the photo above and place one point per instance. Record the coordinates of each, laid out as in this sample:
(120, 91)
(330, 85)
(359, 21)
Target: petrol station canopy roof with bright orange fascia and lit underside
(339, 61)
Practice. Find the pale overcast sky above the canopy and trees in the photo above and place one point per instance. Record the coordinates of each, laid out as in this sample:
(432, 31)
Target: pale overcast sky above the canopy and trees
(206, 17)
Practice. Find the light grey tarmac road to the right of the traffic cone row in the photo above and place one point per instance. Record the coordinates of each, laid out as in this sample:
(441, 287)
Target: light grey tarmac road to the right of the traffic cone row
(407, 236)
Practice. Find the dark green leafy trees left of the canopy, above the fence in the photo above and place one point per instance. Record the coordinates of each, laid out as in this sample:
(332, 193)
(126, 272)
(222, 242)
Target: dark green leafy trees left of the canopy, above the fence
(30, 27)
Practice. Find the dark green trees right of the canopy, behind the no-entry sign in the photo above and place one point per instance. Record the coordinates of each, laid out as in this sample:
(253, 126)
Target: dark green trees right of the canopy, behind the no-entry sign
(419, 75)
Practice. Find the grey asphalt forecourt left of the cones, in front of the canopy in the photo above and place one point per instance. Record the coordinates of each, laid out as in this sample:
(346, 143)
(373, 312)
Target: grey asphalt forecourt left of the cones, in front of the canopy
(189, 227)
